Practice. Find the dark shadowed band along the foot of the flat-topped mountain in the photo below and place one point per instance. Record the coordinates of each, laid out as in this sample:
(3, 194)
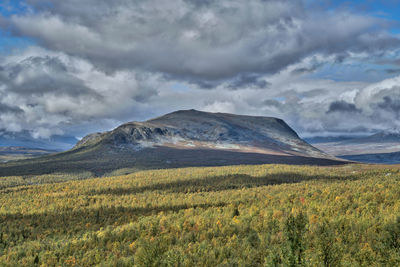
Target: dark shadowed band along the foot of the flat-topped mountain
(102, 160)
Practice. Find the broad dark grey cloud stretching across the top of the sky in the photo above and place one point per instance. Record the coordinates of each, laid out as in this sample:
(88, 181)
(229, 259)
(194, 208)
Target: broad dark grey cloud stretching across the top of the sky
(199, 40)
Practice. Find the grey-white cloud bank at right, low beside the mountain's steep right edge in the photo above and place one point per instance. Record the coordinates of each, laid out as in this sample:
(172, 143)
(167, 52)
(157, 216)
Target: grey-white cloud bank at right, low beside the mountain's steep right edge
(340, 111)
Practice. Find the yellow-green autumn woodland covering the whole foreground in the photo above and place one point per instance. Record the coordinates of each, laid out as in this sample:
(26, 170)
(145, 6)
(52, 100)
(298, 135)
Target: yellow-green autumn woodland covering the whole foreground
(236, 215)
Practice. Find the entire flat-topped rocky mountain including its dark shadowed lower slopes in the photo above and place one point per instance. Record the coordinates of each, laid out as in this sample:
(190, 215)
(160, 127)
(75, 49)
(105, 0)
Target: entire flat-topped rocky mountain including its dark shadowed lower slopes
(180, 139)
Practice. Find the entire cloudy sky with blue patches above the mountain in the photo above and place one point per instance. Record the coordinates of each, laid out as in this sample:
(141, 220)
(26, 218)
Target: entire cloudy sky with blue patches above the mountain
(74, 67)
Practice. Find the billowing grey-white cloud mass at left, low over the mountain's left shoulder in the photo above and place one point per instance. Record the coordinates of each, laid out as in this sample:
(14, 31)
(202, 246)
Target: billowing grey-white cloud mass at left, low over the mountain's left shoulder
(50, 94)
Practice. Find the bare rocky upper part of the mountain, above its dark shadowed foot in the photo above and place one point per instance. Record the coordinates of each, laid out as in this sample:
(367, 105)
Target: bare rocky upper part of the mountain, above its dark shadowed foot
(192, 129)
